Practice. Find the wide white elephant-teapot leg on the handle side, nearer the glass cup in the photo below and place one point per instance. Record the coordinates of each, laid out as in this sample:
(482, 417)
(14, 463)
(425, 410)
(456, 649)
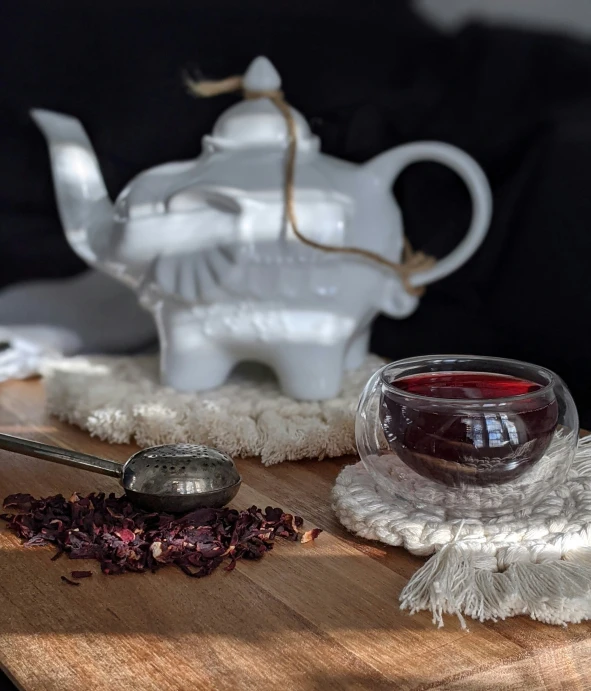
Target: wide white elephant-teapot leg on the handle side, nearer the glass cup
(309, 371)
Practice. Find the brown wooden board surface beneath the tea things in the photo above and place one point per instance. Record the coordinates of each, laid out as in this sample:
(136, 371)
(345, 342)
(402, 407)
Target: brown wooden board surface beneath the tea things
(323, 615)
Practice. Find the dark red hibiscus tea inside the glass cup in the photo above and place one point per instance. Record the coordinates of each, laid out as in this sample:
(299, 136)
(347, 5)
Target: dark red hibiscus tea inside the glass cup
(468, 428)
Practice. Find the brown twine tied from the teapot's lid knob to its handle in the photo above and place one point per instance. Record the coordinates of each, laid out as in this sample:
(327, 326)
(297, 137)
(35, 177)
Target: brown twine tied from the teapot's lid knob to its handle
(412, 262)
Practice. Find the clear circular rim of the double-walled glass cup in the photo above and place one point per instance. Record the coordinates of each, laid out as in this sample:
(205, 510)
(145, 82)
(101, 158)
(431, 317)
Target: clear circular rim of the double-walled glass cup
(427, 359)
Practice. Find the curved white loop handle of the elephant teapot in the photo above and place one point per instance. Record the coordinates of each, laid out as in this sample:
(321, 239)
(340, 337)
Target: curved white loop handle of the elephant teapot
(389, 165)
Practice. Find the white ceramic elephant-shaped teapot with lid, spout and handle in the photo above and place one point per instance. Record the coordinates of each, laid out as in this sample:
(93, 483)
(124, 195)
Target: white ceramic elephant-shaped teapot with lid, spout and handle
(206, 246)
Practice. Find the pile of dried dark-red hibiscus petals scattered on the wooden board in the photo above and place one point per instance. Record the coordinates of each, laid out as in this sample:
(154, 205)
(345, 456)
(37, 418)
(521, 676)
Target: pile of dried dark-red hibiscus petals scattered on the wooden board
(123, 538)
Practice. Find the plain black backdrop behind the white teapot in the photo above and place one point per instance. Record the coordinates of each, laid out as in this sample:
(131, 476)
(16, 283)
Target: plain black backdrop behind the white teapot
(368, 75)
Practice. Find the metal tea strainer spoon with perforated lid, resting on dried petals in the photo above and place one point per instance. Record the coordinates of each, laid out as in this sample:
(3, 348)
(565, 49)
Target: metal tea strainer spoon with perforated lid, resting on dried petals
(173, 478)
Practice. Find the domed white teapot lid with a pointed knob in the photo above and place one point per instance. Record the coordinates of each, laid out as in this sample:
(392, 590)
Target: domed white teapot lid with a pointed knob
(257, 122)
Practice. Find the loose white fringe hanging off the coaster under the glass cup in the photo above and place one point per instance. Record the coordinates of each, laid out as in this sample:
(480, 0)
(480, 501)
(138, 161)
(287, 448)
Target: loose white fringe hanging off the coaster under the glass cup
(462, 581)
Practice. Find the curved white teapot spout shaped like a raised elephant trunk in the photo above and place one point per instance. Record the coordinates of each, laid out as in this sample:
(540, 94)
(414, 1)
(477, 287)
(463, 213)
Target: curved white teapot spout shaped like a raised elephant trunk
(83, 203)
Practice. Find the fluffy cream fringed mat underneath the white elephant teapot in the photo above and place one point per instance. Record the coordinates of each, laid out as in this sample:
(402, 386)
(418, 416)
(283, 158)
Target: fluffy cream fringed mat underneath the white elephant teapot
(119, 399)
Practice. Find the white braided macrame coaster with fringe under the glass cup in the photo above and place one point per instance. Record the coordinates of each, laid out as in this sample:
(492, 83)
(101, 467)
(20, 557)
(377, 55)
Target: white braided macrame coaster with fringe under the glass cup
(536, 563)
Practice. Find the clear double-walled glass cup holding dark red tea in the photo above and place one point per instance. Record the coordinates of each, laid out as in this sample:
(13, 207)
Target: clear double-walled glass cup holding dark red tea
(471, 436)
